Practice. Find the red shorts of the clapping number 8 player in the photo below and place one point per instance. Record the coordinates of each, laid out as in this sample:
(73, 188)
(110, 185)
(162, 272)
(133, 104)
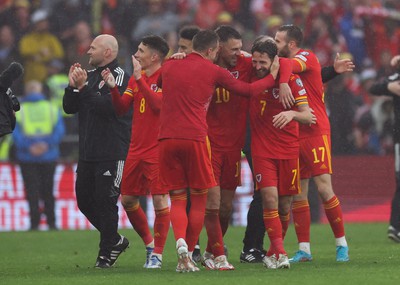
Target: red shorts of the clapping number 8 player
(140, 178)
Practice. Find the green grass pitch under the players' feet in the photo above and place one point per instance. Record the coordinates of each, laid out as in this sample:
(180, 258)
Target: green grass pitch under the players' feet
(67, 257)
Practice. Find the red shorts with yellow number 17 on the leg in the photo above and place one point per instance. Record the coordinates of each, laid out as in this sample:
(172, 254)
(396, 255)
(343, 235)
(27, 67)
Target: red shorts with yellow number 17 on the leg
(315, 156)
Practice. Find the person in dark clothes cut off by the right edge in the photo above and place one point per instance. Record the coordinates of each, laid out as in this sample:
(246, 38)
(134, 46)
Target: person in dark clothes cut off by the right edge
(390, 86)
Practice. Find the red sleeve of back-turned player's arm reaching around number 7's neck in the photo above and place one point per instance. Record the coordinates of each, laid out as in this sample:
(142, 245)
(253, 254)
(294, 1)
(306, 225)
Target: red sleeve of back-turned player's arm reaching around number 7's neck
(226, 80)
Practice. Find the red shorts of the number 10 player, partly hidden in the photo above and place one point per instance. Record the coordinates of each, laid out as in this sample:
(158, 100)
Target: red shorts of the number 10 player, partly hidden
(226, 167)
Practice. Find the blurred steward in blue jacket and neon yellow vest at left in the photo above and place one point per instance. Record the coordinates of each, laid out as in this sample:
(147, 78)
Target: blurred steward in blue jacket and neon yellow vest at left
(37, 136)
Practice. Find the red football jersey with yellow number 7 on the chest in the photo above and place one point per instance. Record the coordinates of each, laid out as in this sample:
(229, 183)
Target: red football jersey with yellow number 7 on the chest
(266, 140)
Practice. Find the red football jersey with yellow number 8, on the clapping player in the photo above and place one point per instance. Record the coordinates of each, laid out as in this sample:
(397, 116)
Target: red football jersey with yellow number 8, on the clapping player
(145, 121)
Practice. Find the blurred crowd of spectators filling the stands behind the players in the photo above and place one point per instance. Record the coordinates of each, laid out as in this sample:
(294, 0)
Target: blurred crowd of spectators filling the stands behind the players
(48, 36)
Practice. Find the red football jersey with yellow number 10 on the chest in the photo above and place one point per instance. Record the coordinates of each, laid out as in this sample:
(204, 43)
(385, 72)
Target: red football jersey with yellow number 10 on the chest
(226, 116)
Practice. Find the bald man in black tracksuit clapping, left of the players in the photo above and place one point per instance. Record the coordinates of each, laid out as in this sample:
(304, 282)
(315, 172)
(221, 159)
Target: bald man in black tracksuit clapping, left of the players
(103, 144)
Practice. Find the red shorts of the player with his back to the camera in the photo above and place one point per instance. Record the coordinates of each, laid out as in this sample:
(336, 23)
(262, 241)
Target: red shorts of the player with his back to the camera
(185, 163)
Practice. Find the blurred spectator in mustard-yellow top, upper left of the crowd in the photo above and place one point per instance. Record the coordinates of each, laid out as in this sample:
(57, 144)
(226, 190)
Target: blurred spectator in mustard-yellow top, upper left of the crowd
(38, 47)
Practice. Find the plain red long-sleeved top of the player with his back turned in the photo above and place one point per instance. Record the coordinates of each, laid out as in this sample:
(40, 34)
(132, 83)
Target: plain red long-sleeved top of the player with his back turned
(188, 86)
